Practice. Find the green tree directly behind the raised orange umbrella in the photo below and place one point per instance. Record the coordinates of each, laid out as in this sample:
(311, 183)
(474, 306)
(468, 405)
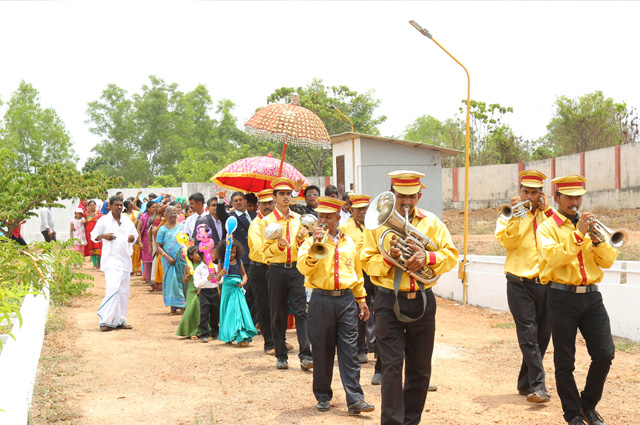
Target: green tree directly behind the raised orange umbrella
(317, 97)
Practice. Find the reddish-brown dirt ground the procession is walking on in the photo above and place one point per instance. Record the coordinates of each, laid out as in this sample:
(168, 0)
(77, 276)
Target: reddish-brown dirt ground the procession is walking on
(149, 376)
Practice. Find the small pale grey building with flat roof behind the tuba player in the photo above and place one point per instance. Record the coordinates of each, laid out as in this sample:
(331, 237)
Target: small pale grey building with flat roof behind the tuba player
(361, 163)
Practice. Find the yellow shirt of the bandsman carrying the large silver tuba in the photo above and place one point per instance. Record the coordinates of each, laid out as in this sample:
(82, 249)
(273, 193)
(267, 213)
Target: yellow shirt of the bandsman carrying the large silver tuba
(381, 271)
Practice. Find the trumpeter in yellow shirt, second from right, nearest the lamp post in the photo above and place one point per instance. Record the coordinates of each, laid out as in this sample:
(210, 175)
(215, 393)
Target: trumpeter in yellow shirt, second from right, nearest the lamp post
(526, 296)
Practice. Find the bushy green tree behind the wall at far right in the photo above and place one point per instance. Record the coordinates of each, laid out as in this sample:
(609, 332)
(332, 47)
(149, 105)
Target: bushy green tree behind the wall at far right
(589, 122)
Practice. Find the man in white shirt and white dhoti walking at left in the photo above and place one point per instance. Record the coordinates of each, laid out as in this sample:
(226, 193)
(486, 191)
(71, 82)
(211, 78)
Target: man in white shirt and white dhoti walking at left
(117, 233)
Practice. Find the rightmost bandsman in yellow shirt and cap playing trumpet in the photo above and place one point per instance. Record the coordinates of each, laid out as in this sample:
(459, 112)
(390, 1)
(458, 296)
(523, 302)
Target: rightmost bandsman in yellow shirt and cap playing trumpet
(571, 263)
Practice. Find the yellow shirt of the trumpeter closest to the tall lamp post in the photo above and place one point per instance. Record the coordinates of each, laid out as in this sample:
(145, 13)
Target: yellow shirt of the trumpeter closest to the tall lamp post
(519, 238)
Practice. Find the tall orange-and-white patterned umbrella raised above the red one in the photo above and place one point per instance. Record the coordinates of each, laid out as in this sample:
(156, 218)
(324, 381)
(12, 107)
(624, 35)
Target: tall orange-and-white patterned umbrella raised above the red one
(290, 123)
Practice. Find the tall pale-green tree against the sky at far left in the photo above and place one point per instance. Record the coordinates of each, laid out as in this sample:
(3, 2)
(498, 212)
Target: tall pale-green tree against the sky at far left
(35, 134)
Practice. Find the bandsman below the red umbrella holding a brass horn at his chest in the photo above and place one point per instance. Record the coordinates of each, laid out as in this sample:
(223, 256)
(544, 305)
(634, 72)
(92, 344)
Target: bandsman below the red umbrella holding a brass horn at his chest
(285, 283)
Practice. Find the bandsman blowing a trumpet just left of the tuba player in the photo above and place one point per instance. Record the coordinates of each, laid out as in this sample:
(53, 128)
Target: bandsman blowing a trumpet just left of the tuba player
(329, 261)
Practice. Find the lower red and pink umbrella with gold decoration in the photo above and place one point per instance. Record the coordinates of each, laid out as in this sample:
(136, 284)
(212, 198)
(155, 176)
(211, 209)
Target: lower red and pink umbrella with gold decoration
(254, 174)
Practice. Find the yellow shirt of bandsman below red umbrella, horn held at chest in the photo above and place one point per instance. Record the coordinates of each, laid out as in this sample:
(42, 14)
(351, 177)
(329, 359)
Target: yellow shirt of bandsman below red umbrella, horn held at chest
(273, 253)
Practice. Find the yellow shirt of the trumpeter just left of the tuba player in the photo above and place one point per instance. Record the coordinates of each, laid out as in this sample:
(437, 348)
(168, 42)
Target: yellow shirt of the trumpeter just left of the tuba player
(322, 273)
